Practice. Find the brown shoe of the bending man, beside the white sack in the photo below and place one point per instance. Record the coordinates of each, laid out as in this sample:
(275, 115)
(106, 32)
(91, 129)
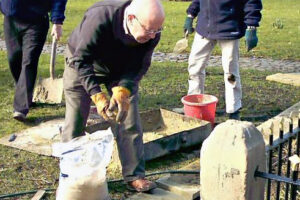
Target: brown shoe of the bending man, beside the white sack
(141, 185)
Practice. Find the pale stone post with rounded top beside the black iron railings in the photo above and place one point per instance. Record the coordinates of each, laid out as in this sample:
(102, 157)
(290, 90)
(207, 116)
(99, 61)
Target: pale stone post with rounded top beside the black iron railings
(229, 158)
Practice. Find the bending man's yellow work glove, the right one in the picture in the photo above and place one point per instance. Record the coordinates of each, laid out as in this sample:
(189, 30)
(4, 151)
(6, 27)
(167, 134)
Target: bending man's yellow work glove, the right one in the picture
(119, 104)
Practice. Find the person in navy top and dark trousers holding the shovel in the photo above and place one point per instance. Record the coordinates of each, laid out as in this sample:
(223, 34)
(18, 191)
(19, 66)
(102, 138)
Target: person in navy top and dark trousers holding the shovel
(26, 25)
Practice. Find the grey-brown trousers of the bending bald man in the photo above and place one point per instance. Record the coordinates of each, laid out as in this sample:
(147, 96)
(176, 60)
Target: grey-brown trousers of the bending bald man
(129, 135)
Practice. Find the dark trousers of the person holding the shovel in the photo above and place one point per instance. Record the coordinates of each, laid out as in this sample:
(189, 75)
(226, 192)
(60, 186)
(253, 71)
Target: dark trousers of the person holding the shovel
(24, 42)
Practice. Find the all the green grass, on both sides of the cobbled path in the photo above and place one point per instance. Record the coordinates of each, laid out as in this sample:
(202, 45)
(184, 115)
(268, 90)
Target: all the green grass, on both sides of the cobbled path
(163, 86)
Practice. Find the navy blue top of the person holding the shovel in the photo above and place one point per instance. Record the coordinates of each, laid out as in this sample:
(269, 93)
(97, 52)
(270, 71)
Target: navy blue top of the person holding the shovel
(34, 10)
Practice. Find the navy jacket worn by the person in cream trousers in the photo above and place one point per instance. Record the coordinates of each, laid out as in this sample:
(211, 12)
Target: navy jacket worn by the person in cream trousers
(225, 19)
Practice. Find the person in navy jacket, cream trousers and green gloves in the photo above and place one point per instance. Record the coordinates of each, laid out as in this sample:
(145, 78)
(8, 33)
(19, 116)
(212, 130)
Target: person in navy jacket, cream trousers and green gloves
(221, 22)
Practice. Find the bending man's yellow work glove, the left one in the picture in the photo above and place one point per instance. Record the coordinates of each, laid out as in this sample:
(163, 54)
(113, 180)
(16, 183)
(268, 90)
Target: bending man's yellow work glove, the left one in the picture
(101, 103)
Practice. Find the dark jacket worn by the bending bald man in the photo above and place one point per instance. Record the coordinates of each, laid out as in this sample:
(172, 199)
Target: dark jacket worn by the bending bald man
(100, 49)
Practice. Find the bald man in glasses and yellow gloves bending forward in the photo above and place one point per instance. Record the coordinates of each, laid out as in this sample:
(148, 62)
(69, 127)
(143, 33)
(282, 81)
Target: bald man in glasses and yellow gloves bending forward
(113, 46)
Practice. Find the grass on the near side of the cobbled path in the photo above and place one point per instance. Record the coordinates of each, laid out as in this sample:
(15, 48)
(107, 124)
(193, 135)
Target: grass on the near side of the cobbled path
(163, 86)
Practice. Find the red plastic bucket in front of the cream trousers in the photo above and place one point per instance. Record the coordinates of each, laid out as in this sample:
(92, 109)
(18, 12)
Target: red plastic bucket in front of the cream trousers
(201, 106)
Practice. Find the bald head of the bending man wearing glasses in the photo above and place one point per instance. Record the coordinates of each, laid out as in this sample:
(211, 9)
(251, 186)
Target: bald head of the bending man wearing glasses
(145, 19)
